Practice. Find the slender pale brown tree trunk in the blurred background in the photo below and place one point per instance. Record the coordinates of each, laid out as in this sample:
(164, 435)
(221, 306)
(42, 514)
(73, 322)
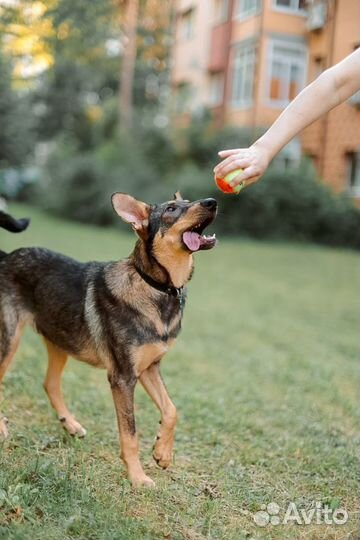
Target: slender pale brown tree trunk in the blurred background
(128, 65)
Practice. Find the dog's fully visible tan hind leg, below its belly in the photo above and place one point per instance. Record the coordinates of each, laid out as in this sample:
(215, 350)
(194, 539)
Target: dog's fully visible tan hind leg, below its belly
(56, 363)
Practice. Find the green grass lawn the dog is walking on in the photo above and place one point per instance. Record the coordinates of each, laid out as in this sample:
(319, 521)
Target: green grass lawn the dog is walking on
(265, 376)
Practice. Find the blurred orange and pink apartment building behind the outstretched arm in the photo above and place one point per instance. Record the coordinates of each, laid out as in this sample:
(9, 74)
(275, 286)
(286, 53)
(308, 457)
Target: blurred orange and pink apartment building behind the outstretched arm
(246, 59)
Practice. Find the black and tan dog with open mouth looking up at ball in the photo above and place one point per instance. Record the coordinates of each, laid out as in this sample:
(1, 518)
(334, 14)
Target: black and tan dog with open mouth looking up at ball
(120, 316)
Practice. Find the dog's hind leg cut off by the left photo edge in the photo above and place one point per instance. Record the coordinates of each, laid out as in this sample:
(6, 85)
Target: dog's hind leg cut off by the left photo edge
(9, 341)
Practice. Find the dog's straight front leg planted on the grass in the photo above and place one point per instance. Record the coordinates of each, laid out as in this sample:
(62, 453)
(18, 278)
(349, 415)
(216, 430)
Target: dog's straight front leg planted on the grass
(123, 396)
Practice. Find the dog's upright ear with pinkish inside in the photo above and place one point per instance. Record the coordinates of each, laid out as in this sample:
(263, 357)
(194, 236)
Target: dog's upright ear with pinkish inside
(131, 210)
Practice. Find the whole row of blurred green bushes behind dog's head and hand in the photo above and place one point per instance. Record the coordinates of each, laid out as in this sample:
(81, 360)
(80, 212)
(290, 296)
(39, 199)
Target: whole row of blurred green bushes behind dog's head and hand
(151, 165)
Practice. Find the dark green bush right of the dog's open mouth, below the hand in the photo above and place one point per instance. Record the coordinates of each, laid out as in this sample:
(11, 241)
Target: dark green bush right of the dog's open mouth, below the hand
(290, 205)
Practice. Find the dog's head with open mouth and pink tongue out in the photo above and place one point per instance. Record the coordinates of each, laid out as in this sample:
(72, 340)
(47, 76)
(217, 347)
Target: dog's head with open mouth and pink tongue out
(172, 231)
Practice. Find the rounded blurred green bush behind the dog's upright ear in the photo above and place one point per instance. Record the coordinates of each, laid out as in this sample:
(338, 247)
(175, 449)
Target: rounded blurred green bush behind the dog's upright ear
(79, 185)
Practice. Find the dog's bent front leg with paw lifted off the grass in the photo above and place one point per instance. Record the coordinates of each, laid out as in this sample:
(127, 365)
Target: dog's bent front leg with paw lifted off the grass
(155, 387)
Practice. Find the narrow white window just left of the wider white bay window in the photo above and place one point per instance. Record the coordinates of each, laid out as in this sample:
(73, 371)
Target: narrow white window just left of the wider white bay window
(243, 75)
